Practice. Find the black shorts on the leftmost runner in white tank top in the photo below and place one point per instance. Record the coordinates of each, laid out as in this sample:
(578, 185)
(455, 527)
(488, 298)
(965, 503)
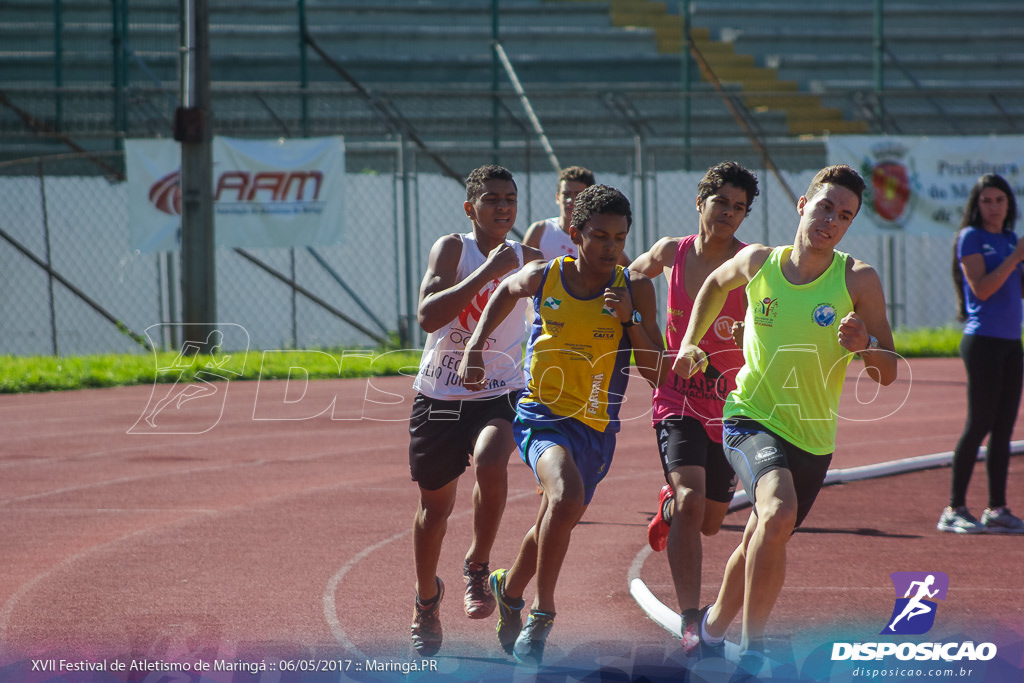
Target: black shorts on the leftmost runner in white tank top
(443, 435)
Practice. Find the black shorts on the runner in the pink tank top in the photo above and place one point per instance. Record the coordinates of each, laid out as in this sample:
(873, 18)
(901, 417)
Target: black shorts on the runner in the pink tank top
(682, 441)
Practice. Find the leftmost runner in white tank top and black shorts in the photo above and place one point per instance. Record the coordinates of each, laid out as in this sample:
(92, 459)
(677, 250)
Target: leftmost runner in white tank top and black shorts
(450, 432)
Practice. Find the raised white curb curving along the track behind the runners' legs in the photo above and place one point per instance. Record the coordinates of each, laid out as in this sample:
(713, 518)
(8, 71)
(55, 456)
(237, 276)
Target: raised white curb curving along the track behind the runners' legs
(669, 620)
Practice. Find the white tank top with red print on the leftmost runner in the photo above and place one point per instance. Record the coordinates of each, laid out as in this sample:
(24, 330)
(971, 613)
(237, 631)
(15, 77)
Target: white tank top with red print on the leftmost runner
(444, 351)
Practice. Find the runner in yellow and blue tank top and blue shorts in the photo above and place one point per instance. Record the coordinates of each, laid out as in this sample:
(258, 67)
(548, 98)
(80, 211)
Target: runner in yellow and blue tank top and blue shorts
(590, 315)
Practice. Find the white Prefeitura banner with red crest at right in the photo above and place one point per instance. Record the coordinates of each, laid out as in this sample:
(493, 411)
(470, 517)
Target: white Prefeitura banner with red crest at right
(921, 185)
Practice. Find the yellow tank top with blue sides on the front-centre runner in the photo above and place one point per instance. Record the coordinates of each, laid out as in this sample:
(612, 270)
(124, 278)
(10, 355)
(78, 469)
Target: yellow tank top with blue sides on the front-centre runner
(578, 356)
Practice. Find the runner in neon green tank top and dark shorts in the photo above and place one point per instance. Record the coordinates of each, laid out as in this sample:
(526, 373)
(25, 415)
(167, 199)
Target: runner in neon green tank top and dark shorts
(810, 310)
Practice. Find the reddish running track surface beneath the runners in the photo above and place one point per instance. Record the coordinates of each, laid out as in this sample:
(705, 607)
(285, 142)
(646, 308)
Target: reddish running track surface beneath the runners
(270, 523)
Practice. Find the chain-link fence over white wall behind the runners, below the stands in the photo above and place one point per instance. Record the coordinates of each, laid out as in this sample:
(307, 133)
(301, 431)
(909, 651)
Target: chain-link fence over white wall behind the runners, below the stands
(72, 285)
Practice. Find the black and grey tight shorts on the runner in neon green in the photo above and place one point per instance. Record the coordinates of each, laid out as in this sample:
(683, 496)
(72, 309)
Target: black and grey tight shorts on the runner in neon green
(753, 450)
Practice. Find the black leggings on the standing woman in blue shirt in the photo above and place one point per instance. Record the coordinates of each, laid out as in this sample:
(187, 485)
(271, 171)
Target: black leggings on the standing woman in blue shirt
(995, 370)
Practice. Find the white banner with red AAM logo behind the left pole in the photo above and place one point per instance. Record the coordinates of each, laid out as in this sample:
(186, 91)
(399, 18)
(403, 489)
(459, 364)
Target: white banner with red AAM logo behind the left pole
(266, 193)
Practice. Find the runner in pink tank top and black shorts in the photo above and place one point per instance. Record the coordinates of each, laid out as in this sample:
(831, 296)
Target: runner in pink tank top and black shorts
(688, 413)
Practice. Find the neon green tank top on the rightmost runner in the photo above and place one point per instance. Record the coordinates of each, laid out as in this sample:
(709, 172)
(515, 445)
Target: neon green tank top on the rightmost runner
(795, 365)
